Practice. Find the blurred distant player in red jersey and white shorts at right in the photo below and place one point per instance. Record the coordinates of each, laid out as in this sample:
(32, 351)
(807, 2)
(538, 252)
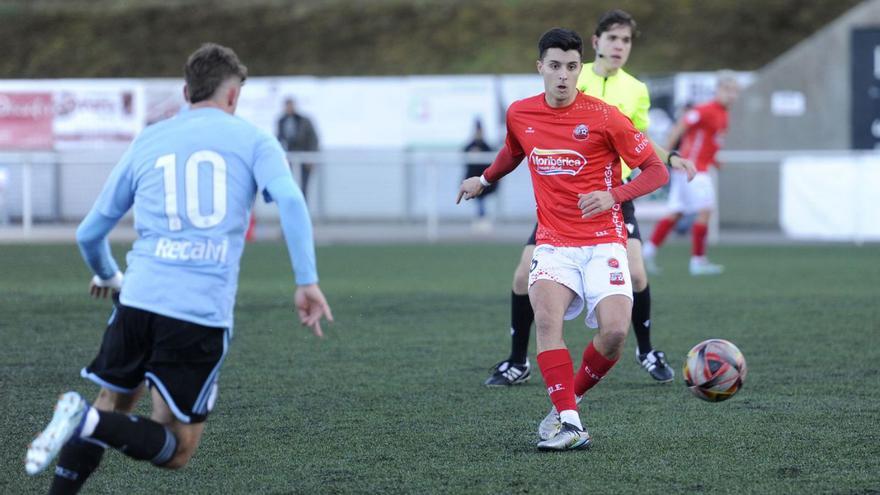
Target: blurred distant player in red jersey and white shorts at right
(701, 131)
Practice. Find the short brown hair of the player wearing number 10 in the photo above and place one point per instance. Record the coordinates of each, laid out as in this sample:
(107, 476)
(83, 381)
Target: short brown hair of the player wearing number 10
(209, 67)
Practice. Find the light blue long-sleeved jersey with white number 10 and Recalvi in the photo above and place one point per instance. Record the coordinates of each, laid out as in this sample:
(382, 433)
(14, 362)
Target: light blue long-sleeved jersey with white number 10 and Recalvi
(192, 180)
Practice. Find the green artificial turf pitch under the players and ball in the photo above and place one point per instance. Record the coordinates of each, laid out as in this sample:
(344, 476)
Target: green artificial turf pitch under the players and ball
(391, 400)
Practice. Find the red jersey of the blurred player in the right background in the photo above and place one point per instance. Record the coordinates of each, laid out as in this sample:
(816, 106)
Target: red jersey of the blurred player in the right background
(704, 135)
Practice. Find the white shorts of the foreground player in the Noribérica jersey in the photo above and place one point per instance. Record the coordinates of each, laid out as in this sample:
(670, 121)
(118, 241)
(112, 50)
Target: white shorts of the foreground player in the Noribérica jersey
(592, 272)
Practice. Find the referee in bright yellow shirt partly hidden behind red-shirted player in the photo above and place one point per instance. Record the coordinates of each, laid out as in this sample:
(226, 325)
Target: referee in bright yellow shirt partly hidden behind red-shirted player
(604, 79)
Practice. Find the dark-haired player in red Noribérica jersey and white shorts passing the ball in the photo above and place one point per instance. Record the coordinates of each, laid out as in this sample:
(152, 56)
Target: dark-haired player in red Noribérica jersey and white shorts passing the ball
(573, 144)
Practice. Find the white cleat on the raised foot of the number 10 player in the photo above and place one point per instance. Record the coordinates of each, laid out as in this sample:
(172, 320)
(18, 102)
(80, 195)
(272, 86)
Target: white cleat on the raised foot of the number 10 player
(66, 421)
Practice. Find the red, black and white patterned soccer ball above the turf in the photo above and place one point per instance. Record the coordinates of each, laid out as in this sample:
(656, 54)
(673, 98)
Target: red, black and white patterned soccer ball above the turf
(714, 370)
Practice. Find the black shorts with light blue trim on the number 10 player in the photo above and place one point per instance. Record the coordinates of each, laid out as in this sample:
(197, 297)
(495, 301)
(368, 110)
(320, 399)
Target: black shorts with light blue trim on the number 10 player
(180, 359)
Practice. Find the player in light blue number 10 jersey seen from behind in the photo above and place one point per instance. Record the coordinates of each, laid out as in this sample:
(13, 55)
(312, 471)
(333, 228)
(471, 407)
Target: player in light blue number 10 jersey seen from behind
(191, 181)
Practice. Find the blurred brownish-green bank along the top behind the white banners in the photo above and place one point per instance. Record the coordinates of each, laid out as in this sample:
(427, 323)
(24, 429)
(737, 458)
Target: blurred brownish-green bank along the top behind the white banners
(148, 38)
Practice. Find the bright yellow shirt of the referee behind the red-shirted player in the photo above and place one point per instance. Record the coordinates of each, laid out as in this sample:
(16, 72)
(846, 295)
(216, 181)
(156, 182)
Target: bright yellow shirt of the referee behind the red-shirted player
(622, 90)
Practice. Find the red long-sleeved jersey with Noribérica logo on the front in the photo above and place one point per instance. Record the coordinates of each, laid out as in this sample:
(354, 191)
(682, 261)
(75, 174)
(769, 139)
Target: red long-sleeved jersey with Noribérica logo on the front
(571, 150)
